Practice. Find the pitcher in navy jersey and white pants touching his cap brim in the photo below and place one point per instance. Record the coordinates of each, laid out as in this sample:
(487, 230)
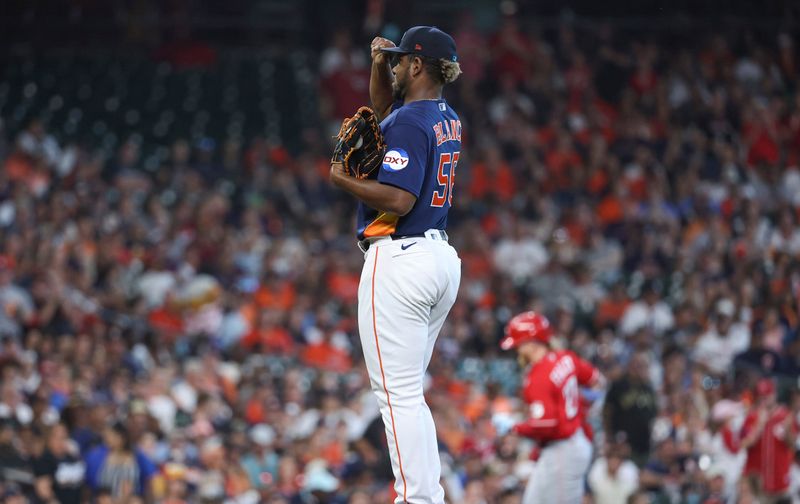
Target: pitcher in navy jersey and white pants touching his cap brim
(402, 172)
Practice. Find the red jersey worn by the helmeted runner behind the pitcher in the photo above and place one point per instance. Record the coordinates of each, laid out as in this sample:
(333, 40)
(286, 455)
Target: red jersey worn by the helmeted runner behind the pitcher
(551, 392)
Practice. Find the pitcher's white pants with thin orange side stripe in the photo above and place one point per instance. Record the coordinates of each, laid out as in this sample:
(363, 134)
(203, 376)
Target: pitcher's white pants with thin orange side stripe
(407, 288)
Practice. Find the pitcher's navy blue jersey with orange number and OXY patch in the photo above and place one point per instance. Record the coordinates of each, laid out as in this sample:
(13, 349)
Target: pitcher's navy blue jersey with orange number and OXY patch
(423, 144)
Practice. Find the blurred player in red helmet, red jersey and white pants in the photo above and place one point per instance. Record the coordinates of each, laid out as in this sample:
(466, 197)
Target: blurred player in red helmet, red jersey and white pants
(551, 390)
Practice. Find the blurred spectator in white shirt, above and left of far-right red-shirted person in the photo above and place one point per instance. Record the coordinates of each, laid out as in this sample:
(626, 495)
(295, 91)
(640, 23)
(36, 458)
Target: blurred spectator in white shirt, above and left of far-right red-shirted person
(726, 338)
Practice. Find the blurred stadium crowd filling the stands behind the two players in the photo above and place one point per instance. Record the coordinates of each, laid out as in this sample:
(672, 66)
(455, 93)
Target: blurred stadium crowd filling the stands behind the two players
(190, 335)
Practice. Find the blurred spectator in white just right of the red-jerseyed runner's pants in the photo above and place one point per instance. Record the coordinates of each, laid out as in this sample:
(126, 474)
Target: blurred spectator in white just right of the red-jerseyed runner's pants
(613, 478)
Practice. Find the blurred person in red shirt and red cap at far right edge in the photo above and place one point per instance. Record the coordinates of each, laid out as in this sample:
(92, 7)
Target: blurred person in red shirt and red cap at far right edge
(768, 434)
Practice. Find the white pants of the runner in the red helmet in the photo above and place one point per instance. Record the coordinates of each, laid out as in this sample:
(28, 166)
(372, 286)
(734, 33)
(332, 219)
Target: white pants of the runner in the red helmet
(558, 477)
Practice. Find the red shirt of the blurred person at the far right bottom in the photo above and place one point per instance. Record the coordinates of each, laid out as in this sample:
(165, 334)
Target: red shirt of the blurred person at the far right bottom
(770, 457)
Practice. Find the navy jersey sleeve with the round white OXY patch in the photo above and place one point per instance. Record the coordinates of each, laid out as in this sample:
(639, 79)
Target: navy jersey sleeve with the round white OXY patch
(406, 157)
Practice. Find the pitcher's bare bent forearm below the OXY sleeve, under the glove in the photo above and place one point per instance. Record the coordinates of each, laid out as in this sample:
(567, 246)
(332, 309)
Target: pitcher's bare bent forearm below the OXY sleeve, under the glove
(381, 197)
